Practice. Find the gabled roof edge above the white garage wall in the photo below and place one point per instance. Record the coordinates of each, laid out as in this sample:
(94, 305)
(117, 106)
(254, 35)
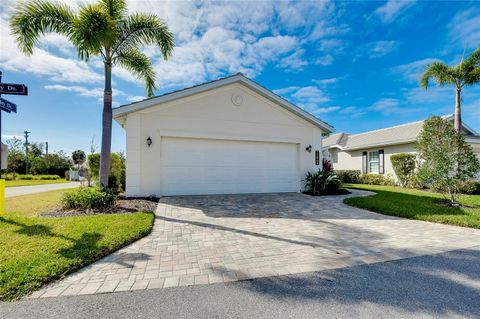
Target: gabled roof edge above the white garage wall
(236, 78)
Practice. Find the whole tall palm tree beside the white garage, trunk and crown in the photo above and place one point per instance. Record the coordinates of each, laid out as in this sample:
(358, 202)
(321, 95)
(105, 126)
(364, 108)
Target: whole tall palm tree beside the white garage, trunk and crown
(103, 29)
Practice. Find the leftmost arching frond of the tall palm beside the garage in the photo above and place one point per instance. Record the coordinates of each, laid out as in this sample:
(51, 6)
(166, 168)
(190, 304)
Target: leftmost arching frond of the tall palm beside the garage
(31, 20)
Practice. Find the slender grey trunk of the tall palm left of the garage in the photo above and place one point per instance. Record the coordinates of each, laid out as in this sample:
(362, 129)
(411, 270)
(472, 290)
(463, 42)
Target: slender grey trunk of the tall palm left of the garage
(106, 126)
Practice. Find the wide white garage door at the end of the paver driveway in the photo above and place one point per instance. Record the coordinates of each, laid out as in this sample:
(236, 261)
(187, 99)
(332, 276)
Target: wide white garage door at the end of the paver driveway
(206, 166)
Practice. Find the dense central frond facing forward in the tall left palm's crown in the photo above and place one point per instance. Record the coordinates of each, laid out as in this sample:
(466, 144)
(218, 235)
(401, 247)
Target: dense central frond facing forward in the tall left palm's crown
(94, 29)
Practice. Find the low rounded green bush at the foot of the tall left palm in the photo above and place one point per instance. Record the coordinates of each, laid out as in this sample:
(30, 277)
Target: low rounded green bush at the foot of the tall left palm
(89, 198)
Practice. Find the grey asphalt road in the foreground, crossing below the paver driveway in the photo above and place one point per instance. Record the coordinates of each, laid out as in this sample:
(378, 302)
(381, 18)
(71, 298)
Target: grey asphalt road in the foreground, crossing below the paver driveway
(439, 286)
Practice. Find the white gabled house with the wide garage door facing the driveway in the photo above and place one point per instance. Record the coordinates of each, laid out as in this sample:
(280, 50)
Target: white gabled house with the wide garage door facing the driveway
(227, 136)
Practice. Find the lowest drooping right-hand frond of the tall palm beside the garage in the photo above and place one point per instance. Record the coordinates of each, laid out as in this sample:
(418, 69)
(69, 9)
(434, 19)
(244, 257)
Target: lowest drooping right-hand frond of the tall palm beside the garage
(140, 65)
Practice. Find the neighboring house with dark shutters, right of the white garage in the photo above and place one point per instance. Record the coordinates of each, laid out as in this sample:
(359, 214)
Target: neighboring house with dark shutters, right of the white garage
(370, 152)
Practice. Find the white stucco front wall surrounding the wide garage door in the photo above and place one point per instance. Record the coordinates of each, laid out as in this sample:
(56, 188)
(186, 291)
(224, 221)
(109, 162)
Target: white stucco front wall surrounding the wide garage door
(211, 115)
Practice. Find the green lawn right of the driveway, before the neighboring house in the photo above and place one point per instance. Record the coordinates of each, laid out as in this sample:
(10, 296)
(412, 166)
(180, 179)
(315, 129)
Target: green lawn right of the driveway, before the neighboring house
(417, 204)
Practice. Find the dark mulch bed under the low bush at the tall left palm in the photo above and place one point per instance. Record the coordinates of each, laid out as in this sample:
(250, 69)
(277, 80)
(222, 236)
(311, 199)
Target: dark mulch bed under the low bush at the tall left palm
(122, 206)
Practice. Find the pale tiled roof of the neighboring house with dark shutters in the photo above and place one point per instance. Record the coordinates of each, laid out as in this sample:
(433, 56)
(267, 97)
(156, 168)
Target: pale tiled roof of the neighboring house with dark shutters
(394, 135)
